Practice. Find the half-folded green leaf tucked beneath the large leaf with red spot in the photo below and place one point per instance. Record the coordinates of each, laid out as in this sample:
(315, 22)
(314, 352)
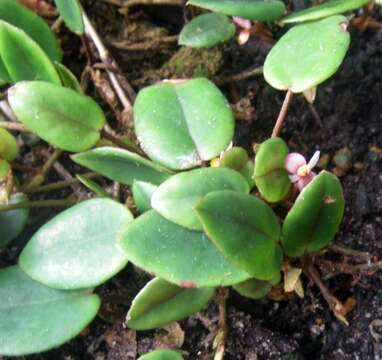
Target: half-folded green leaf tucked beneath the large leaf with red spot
(160, 303)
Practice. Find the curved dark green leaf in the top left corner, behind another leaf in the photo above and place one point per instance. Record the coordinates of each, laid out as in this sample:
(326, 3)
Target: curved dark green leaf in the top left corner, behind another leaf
(33, 25)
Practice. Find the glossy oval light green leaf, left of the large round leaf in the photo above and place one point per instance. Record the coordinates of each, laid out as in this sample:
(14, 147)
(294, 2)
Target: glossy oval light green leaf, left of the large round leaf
(60, 116)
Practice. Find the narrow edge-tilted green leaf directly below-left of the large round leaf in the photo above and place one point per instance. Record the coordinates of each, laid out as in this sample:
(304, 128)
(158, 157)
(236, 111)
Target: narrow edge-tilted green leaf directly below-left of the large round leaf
(122, 166)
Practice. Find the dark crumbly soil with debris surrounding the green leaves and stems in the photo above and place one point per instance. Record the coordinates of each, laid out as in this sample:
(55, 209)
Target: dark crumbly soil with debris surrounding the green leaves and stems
(350, 110)
